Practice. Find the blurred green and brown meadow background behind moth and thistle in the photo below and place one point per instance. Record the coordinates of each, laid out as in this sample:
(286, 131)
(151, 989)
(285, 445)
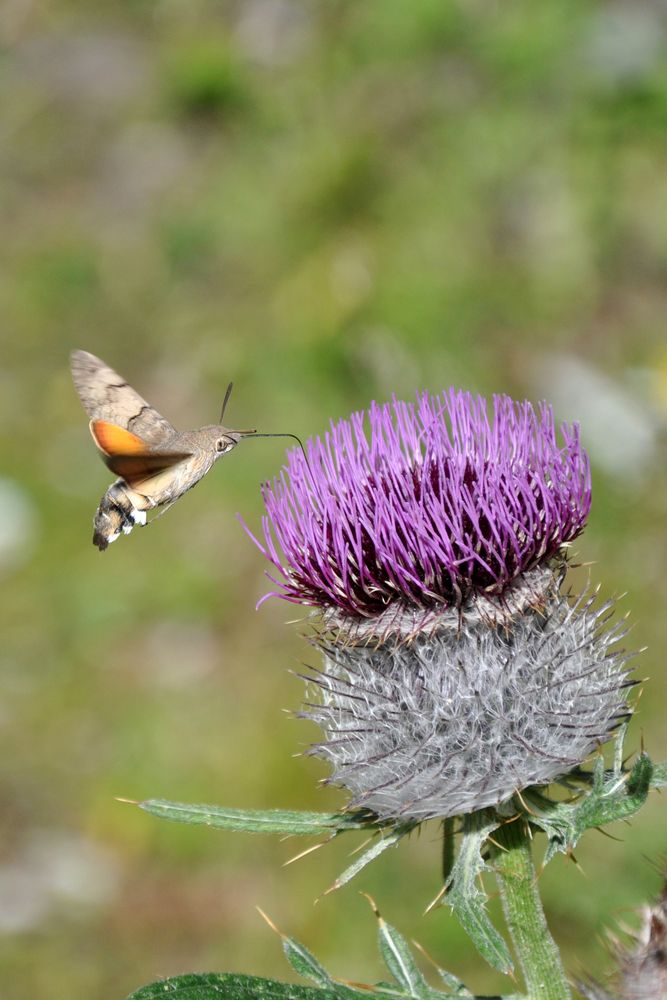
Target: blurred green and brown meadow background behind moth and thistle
(327, 201)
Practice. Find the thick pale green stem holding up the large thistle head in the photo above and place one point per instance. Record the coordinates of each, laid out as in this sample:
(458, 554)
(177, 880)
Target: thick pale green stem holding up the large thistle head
(535, 949)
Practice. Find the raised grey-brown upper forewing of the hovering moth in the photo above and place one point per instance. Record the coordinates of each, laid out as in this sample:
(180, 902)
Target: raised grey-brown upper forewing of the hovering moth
(107, 396)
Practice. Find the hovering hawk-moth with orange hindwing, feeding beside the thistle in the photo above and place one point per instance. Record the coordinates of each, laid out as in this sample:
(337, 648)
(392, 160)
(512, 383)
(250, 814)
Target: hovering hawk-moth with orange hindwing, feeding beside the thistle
(155, 463)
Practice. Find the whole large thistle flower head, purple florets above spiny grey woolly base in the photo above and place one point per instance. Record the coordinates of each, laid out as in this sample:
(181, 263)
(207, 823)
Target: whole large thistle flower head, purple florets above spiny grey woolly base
(431, 538)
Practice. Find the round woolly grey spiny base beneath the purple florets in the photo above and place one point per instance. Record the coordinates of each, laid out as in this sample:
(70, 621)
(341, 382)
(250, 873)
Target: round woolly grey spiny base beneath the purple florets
(462, 716)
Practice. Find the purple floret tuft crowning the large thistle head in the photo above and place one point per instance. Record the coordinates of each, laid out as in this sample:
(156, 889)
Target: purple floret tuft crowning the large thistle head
(424, 504)
